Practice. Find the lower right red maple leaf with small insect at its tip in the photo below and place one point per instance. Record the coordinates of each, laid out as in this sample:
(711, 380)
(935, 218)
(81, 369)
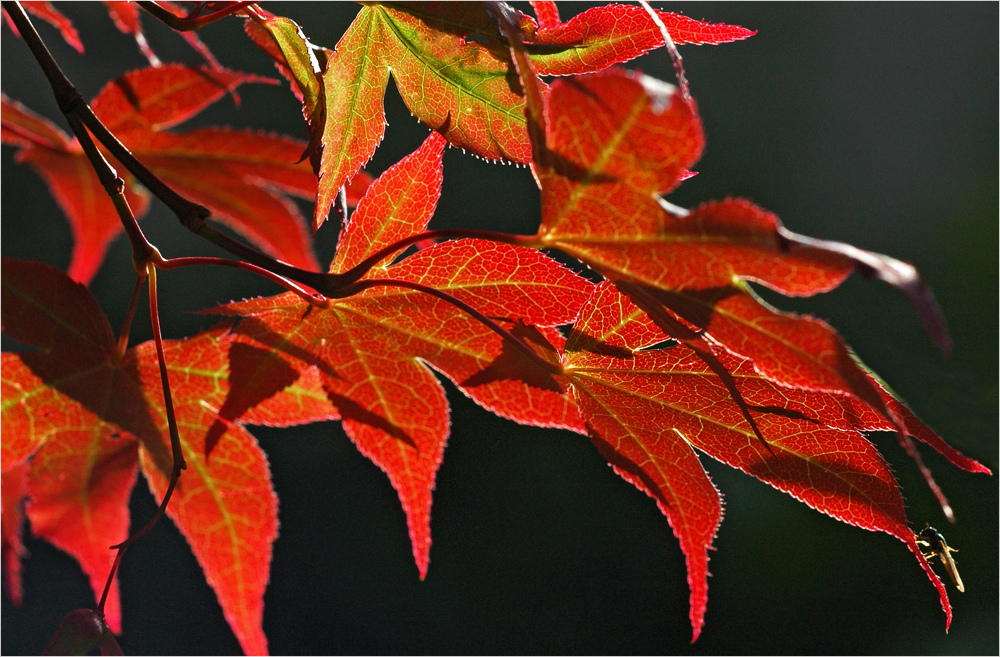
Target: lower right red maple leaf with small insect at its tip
(646, 410)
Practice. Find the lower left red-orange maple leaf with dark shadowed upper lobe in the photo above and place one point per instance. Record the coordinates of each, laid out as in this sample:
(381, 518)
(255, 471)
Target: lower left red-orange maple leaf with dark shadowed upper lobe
(80, 421)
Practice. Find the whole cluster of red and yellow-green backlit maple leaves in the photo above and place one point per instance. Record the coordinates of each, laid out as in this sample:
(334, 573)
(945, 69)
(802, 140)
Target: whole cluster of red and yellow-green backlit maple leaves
(666, 353)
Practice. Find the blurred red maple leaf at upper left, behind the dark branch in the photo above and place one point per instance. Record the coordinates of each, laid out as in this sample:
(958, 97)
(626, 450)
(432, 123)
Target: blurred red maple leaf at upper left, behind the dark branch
(241, 176)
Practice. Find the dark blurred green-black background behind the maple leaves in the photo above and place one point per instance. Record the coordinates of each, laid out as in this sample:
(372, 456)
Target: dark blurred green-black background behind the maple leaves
(874, 124)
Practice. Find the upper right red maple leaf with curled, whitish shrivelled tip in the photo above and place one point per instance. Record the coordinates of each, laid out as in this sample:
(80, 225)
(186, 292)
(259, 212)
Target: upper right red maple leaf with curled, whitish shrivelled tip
(614, 142)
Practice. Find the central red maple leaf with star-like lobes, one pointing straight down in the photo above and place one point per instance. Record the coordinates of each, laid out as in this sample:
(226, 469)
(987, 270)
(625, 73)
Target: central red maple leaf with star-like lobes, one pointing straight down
(373, 351)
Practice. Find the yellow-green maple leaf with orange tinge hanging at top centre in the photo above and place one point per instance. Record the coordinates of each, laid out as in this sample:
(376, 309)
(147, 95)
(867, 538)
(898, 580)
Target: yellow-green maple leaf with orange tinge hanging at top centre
(461, 89)
